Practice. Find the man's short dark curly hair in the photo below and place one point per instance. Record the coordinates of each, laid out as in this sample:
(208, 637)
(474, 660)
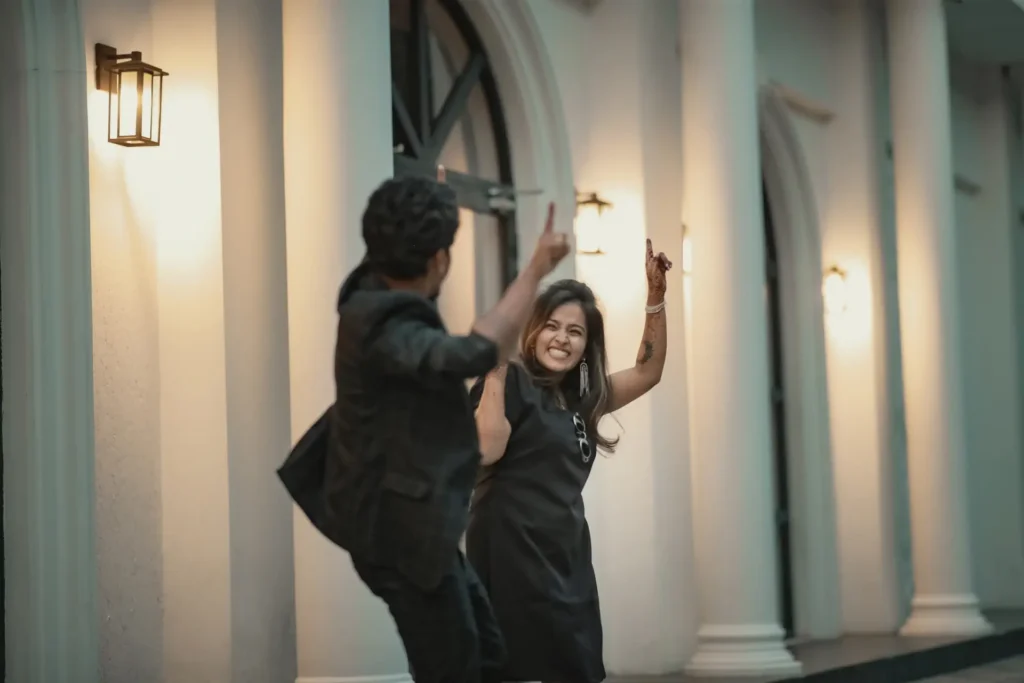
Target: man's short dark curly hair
(407, 222)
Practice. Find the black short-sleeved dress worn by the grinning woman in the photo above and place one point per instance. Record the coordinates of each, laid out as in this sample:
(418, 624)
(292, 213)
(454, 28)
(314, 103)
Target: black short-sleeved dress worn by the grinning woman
(529, 541)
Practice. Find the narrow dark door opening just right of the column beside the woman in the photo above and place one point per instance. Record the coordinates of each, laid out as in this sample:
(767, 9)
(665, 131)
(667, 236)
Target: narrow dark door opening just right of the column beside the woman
(780, 445)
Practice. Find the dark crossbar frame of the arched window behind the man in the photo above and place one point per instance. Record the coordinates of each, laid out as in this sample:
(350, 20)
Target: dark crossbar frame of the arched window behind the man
(425, 116)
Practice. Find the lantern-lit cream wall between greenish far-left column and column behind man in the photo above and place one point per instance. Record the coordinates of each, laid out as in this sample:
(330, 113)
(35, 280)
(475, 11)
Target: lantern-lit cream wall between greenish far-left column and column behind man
(194, 531)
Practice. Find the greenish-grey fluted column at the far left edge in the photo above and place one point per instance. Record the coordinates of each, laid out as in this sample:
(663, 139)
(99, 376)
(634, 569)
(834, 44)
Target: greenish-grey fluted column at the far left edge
(52, 613)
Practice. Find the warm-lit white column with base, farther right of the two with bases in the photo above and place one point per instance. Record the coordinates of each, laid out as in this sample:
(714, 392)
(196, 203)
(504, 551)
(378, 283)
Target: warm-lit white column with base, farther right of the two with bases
(944, 603)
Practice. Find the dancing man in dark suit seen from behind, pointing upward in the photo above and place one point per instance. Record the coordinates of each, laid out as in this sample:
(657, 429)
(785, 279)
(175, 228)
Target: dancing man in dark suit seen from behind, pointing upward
(404, 449)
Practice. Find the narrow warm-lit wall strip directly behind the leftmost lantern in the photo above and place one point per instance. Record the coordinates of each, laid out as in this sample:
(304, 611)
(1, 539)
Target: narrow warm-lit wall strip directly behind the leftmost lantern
(126, 378)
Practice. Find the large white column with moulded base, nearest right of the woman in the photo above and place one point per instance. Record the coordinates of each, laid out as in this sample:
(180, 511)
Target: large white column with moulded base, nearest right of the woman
(733, 484)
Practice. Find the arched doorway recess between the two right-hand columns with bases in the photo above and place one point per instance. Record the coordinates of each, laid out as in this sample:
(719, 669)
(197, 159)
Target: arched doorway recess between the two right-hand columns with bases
(808, 590)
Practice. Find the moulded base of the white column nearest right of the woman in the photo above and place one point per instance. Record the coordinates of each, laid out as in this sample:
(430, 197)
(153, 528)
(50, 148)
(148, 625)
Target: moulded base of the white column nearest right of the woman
(742, 651)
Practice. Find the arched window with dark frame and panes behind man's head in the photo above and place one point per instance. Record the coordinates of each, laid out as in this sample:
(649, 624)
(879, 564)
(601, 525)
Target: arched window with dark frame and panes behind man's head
(446, 110)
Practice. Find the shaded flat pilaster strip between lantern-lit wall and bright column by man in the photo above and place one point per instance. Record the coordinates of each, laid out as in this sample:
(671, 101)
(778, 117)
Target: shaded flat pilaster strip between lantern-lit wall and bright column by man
(255, 274)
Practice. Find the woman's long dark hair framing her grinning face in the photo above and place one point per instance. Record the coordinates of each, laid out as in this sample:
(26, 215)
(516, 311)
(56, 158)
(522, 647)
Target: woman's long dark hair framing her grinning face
(594, 405)
